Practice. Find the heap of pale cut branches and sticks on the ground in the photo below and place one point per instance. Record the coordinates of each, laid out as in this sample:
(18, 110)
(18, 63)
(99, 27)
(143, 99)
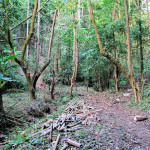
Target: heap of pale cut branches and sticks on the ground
(74, 117)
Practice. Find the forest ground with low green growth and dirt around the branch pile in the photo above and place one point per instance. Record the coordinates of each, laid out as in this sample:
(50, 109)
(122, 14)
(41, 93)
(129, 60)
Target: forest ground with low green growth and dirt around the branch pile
(114, 127)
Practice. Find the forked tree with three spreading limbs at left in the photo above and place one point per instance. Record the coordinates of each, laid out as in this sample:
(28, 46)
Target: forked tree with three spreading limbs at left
(31, 81)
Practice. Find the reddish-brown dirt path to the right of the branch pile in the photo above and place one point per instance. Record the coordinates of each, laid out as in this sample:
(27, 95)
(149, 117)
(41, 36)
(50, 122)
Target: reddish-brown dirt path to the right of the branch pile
(123, 130)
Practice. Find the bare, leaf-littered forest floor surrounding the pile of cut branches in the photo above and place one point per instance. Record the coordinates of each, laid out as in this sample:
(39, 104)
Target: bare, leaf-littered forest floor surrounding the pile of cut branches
(115, 127)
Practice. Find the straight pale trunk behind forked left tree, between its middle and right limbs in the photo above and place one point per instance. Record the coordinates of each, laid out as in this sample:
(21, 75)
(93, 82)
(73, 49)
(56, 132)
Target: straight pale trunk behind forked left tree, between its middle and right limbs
(38, 37)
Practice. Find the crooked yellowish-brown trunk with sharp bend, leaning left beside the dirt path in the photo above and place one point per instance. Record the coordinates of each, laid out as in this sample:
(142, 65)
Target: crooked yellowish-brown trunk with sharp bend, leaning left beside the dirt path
(129, 77)
